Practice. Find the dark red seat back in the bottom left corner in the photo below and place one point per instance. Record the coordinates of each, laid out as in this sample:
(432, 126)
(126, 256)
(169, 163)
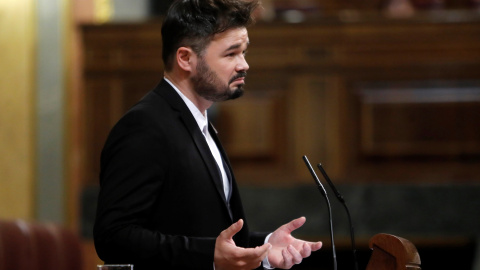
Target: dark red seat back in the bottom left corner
(35, 246)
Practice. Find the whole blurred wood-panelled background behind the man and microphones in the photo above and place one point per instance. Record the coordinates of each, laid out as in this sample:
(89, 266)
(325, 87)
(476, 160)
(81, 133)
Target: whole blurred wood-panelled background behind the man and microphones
(385, 94)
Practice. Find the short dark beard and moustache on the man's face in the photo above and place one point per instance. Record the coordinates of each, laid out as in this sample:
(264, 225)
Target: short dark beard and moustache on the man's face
(207, 84)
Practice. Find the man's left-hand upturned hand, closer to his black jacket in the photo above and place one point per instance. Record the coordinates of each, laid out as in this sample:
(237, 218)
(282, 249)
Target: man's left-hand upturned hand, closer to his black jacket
(229, 256)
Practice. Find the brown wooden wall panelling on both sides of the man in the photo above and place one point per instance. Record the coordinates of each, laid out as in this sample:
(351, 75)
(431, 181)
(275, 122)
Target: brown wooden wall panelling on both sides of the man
(307, 93)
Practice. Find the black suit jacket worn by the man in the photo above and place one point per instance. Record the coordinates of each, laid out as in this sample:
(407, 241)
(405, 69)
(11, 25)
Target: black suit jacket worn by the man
(161, 203)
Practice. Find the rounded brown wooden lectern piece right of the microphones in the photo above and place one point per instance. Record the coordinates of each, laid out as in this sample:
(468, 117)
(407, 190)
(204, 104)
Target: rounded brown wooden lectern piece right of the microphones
(391, 252)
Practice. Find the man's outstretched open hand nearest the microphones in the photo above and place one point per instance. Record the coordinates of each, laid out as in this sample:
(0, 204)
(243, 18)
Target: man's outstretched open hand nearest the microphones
(286, 249)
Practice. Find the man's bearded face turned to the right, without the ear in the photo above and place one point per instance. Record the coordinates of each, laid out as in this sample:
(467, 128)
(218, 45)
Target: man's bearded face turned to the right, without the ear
(220, 73)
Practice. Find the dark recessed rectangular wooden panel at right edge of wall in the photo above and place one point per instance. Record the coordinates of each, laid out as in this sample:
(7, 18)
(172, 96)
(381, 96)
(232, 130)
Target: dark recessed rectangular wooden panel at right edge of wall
(421, 122)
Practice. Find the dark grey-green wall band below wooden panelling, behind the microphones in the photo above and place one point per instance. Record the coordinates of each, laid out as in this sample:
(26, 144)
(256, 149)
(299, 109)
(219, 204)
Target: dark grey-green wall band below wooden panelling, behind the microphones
(423, 210)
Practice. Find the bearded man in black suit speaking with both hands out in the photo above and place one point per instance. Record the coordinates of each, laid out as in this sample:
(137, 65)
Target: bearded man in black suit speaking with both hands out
(168, 198)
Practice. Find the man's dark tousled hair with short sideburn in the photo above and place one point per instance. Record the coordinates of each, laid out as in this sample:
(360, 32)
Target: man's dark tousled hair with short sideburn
(193, 23)
